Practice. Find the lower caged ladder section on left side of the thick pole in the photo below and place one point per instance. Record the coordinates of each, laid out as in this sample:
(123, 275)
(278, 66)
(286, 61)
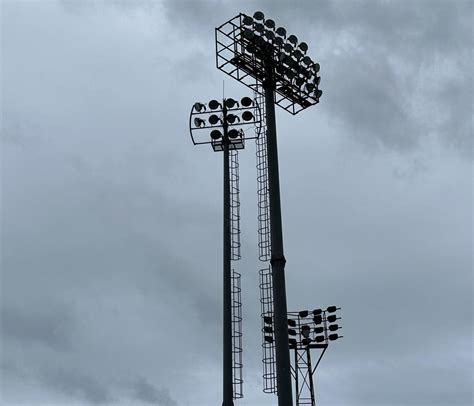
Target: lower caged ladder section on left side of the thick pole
(268, 338)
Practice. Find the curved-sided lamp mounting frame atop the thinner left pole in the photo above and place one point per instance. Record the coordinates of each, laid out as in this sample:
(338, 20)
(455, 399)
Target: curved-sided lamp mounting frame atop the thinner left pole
(241, 125)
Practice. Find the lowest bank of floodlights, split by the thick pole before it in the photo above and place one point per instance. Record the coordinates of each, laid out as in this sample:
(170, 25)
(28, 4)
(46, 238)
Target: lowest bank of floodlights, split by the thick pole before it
(307, 327)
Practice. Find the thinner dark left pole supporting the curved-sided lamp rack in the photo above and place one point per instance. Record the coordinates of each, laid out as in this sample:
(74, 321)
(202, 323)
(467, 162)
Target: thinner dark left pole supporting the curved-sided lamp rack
(227, 299)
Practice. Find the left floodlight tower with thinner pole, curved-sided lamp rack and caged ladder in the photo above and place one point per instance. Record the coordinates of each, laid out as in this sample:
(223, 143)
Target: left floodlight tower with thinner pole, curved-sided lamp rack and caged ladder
(226, 125)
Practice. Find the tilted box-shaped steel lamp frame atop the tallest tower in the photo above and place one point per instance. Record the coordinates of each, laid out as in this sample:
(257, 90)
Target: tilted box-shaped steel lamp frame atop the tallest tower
(252, 68)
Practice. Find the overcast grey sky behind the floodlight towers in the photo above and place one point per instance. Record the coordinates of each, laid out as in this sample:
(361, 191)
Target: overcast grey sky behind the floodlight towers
(112, 219)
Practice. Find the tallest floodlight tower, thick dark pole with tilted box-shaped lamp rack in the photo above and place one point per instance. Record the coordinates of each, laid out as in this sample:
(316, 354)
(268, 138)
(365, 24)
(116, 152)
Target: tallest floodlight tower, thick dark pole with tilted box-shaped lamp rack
(261, 56)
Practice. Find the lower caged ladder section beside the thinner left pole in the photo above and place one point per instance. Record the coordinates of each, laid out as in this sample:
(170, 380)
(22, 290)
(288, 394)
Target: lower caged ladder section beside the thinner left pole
(237, 348)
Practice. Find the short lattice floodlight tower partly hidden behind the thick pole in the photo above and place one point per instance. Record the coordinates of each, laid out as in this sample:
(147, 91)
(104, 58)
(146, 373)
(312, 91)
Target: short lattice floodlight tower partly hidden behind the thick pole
(310, 330)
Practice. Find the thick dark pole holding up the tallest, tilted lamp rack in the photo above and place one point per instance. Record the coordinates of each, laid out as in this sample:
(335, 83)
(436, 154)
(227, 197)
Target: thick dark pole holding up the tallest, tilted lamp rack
(277, 259)
